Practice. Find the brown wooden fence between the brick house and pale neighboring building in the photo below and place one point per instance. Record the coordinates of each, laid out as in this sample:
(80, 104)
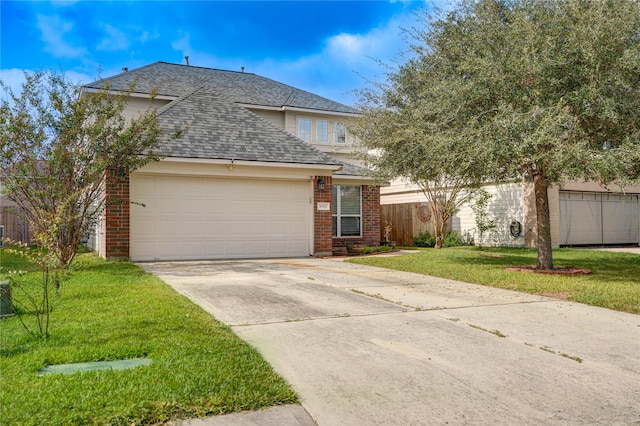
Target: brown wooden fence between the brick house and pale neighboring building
(407, 220)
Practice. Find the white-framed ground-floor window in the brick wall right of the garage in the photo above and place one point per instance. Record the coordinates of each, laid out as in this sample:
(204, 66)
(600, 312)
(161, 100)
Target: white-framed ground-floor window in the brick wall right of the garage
(347, 211)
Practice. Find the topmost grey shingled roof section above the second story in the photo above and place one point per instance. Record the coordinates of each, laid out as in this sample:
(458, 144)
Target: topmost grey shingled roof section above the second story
(240, 87)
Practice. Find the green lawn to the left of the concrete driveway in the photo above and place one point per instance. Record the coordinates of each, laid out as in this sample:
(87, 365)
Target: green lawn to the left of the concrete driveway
(114, 310)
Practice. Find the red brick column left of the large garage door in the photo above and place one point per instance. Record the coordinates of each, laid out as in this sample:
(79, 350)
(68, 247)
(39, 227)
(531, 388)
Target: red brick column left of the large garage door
(117, 212)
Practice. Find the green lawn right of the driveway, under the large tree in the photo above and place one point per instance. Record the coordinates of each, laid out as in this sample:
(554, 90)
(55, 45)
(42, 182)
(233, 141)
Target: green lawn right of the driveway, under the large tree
(614, 283)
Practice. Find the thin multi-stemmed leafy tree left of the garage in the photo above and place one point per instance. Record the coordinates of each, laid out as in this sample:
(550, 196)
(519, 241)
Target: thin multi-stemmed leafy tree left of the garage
(60, 146)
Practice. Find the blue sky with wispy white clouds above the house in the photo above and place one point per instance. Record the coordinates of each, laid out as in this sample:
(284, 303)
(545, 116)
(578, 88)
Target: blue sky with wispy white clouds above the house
(328, 48)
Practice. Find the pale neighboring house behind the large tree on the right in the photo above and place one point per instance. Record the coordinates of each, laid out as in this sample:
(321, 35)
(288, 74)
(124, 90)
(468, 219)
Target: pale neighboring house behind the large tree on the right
(581, 214)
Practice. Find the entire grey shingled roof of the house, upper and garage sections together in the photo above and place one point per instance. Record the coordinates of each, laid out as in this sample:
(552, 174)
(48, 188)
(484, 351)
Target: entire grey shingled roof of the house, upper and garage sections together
(209, 103)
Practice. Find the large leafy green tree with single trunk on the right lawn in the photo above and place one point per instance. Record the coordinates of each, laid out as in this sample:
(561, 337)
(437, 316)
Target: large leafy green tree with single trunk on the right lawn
(516, 89)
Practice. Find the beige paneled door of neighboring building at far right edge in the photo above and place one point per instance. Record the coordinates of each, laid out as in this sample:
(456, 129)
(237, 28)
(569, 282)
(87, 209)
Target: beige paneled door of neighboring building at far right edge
(597, 218)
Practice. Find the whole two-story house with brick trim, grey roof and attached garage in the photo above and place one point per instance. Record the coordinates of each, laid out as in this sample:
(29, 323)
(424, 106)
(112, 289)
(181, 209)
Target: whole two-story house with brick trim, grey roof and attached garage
(261, 171)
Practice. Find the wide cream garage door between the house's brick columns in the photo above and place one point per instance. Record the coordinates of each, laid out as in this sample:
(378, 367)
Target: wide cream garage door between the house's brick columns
(207, 218)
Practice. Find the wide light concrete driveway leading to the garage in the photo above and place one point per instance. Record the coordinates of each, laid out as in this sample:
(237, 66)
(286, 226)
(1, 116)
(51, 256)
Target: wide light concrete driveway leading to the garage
(369, 346)
